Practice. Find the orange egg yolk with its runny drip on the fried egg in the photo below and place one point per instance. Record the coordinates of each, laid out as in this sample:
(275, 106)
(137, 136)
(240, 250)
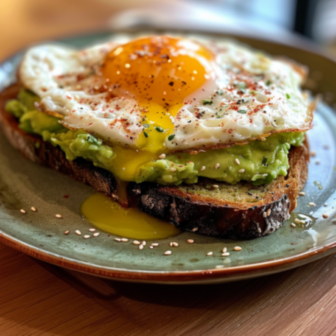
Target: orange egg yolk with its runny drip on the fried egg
(160, 72)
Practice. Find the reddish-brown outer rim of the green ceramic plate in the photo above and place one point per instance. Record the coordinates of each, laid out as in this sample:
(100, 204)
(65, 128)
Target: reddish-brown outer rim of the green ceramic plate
(214, 275)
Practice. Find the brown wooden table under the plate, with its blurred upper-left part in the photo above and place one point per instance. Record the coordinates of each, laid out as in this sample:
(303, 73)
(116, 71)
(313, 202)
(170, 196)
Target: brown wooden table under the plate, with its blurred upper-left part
(40, 299)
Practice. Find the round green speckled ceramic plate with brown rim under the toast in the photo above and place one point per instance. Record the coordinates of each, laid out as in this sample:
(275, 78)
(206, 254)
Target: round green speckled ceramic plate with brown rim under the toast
(39, 234)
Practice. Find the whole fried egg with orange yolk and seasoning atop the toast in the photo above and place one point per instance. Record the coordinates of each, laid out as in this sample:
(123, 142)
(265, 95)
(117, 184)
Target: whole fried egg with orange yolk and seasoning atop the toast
(161, 94)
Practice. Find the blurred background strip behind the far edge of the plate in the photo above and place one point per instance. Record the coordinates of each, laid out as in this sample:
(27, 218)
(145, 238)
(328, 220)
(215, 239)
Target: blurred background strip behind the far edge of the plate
(23, 22)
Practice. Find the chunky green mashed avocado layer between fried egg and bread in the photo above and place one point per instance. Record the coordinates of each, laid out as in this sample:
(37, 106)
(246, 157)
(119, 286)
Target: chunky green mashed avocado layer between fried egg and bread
(259, 161)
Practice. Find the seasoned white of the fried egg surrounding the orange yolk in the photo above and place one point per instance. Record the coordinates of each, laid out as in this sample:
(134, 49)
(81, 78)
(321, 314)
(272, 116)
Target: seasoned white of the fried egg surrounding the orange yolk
(64, 80)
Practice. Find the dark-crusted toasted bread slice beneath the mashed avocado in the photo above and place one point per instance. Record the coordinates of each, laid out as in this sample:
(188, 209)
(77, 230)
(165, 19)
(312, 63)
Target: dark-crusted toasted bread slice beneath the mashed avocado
(240, 211)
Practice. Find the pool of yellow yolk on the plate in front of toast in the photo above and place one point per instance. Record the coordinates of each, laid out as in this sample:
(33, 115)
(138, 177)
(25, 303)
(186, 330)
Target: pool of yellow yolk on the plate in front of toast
(109, 216)
